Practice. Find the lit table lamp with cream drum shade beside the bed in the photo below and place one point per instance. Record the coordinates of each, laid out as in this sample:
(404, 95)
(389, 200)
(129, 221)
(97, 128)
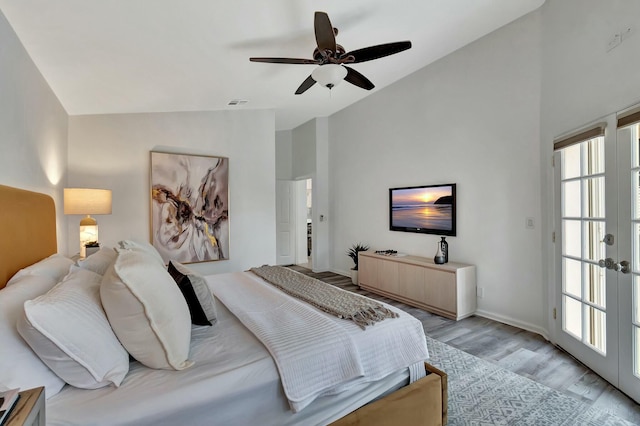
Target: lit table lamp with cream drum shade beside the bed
(87, 201)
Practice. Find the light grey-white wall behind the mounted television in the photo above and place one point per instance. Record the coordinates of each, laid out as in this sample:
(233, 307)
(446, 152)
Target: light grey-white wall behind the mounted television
(473, 119)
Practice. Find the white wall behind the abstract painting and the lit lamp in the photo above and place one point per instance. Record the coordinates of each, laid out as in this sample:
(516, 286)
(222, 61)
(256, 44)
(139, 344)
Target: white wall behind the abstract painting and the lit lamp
(112, 151)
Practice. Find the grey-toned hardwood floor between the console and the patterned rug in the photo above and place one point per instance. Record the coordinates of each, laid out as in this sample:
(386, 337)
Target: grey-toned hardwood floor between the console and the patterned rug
(514, 349)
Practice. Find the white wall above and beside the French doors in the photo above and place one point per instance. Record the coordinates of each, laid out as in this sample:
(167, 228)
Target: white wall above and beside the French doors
(582, 82)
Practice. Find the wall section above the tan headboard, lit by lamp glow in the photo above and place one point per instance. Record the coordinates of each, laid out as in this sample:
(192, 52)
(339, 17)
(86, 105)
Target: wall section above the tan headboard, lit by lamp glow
(33, 127)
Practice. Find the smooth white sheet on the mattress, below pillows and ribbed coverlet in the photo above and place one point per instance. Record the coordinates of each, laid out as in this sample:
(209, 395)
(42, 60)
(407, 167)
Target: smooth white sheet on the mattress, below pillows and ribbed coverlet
(234, 381)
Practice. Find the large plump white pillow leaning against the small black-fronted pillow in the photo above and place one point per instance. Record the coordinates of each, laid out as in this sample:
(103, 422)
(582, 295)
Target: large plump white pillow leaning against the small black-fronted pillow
(147, 311)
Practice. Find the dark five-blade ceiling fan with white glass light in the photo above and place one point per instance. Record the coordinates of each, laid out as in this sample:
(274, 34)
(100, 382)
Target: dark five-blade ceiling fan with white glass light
(332, 57)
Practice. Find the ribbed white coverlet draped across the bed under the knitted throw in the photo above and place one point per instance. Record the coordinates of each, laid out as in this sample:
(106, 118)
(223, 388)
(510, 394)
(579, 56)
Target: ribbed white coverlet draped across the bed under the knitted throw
(317, 353)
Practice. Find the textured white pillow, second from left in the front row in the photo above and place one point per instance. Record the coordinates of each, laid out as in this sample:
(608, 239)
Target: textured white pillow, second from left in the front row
(69, 331)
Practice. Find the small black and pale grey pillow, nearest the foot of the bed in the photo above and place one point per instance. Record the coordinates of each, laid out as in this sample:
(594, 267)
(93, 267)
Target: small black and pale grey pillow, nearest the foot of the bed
(196, 293)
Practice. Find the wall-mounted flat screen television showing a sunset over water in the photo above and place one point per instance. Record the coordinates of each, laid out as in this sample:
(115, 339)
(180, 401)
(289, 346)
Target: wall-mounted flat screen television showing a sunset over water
(427, 209)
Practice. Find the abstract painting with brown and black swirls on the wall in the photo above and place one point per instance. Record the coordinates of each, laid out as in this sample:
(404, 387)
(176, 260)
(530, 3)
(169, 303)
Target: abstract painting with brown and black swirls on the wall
(190, 207)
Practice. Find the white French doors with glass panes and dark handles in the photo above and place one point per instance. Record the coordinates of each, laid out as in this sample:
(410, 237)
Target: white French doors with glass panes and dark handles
(598, 250)
